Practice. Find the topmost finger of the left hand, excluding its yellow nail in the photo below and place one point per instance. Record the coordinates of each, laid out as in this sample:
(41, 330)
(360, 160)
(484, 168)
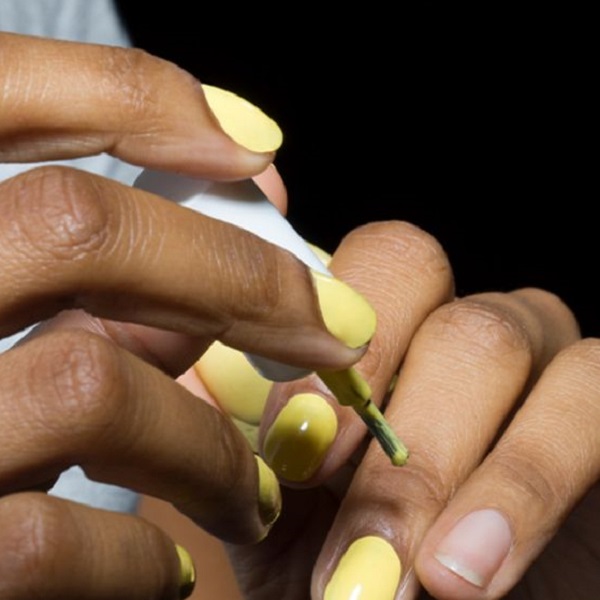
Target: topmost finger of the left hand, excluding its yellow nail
(65, 99)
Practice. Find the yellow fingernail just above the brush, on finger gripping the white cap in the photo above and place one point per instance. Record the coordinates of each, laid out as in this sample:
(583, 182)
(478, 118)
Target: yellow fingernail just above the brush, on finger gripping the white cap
(347, 315)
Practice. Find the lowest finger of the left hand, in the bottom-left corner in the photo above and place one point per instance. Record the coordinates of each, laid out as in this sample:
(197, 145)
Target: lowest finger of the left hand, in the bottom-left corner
(56, 549)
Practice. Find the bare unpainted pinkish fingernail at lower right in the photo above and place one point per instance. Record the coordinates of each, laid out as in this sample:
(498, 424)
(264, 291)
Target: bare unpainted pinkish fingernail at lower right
(476, 547)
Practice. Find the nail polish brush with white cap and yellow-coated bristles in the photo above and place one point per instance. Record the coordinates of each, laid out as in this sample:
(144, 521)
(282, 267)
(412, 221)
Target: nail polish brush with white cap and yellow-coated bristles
(243, 204)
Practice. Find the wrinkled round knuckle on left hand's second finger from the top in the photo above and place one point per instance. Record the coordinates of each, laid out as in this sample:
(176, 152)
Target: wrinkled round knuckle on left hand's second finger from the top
(59, 213)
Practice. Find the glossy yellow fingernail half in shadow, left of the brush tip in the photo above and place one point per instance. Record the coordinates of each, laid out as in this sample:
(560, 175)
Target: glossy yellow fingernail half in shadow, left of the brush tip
(300, 436)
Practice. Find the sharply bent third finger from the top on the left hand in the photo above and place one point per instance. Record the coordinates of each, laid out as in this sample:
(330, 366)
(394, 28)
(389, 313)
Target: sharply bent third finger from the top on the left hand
(90, 403)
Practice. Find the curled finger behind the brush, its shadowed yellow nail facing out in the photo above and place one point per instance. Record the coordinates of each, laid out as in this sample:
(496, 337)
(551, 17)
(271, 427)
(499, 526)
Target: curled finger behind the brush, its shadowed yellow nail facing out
(405, 275)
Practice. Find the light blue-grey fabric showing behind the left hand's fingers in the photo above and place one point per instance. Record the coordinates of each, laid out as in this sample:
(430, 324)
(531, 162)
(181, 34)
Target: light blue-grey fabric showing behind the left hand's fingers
(94, 21)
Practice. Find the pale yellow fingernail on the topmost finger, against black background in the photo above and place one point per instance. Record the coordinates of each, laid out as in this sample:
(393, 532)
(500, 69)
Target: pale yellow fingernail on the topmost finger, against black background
(244, 122)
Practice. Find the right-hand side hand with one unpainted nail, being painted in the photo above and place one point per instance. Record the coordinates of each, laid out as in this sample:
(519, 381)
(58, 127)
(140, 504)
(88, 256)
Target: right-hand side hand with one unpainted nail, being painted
(497, 400)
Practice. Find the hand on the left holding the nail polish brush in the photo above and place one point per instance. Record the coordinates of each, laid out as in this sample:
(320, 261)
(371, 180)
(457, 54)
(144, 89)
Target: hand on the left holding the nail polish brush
(135, 288)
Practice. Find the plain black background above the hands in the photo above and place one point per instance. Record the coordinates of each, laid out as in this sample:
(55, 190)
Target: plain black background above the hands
(472, 123)
